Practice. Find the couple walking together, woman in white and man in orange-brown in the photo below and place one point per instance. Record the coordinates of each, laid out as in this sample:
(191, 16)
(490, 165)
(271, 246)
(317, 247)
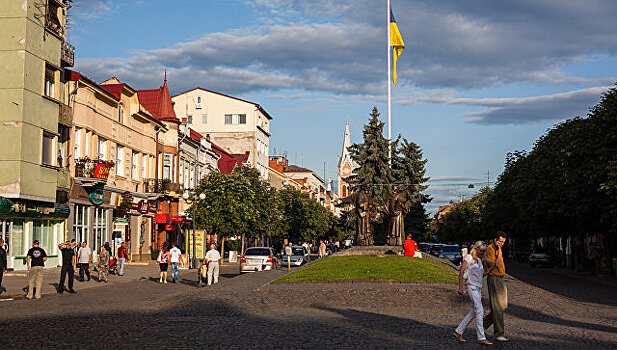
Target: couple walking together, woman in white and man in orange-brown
(473, 270)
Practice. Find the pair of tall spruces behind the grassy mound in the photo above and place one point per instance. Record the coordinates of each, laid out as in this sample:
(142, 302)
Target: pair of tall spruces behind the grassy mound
(380, 172)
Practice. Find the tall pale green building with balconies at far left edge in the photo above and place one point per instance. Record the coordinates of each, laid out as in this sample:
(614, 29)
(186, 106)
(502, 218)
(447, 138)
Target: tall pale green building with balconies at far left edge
(34, 181)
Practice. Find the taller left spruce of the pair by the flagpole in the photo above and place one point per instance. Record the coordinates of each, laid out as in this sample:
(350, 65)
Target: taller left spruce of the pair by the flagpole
(372, 159)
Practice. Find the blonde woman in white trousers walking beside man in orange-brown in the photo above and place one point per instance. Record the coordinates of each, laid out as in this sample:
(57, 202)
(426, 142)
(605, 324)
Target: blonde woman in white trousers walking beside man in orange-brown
(472, 270)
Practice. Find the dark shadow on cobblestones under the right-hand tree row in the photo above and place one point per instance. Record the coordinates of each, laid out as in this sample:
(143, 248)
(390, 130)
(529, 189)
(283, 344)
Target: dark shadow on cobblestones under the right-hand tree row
(577, 289)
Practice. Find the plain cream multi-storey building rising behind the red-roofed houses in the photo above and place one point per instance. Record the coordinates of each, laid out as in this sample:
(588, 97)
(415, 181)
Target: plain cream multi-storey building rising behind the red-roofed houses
(237, 125)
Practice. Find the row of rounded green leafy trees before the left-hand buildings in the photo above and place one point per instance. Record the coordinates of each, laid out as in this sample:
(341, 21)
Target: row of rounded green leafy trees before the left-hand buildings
(241, 203)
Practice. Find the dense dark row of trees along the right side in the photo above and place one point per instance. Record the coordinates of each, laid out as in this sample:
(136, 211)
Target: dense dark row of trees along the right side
(565, 186)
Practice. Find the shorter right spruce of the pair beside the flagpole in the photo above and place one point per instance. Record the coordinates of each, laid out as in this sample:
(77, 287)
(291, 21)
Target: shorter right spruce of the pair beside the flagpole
(408, 169)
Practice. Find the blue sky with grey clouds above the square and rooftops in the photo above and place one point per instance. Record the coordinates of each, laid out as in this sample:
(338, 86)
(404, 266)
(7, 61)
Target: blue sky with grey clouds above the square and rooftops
(477, 79)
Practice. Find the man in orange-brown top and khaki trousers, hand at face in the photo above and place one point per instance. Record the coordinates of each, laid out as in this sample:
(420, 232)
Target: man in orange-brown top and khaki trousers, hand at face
(497, 291)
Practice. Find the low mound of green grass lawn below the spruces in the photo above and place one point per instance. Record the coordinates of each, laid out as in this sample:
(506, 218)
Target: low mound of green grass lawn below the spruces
(371, 267)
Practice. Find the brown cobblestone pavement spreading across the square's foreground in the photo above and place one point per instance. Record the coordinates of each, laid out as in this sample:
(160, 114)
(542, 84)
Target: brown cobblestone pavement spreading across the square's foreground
(246, 312)
